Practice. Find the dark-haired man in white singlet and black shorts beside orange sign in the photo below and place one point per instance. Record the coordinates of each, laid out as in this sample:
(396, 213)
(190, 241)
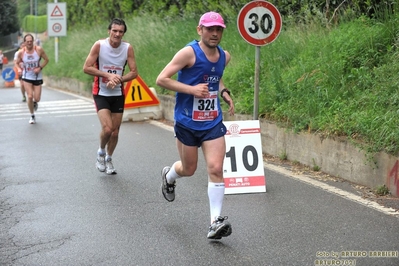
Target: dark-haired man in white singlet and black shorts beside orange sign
(106, 62)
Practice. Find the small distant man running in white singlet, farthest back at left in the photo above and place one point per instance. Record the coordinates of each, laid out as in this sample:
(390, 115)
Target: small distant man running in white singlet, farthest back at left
(29, 62)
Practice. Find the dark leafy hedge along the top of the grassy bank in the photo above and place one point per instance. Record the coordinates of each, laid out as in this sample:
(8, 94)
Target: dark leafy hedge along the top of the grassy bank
(89, 12)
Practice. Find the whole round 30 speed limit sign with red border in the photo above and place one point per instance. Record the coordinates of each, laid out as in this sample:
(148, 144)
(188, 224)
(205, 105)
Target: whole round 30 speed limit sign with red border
(259, 23)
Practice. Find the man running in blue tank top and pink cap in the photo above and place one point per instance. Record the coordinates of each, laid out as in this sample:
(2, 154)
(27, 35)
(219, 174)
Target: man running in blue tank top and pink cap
(198, 115)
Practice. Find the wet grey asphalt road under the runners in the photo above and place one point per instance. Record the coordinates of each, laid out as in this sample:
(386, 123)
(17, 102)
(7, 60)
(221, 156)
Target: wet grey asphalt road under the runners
(57, 209)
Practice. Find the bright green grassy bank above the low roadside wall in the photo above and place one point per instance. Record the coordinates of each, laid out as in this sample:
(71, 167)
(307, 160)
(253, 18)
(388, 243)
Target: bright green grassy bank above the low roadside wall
(335, 79)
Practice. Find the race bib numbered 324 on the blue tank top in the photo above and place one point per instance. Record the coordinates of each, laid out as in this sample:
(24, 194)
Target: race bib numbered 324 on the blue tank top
(206, 109)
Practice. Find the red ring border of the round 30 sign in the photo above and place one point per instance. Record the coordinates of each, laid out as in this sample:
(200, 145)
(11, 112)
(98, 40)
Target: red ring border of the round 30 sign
(243, 13)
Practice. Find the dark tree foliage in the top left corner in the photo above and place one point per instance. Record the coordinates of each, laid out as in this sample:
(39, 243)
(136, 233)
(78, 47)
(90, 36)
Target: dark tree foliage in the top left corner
(8, 17)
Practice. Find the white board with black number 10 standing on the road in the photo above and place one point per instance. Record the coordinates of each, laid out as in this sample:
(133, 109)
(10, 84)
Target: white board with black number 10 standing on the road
(243, 163)
